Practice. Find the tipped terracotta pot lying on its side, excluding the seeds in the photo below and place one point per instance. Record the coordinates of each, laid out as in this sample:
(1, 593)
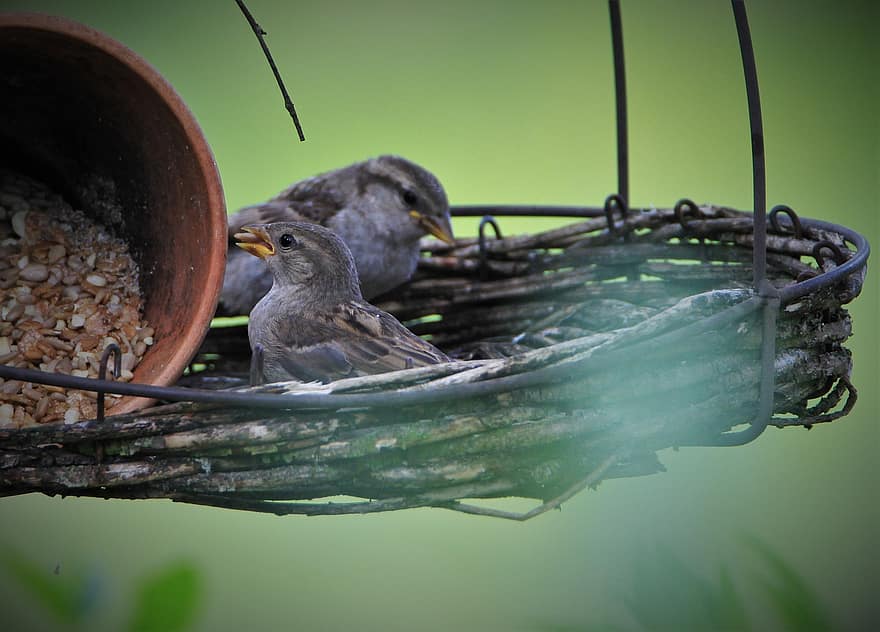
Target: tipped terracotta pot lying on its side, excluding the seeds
(86, 115)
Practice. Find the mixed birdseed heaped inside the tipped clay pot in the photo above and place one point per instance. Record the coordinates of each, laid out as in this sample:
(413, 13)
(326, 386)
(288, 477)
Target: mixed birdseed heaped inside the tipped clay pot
(68, 288)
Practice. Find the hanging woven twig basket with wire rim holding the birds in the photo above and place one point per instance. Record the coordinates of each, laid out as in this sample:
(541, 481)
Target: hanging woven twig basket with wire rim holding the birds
(582, 352)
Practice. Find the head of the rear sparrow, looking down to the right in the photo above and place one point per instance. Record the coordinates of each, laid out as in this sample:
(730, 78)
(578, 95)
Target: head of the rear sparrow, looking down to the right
(412, 200)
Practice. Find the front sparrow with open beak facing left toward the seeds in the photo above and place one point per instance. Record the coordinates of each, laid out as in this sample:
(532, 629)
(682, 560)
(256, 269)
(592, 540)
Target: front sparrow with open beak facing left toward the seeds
(314, 323)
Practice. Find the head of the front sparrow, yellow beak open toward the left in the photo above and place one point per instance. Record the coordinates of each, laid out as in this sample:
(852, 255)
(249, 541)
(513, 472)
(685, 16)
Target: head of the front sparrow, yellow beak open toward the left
(305, 257)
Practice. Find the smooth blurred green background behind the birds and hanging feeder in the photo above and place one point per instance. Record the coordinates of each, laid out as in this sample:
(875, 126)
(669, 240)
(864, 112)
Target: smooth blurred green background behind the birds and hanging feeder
(511, 102)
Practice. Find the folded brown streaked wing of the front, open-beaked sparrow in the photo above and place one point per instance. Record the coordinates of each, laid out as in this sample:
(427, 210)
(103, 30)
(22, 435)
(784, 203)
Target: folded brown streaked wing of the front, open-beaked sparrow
(353, 339)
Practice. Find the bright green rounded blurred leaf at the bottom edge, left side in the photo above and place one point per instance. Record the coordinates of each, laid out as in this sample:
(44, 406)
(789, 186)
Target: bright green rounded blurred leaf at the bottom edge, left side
(167, 600)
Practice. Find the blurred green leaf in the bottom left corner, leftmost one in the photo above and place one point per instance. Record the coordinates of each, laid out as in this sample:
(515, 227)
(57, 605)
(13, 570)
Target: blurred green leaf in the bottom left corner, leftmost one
(68, 596)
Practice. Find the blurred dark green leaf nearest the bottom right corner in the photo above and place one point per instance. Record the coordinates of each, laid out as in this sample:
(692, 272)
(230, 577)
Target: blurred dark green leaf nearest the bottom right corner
(788, 593)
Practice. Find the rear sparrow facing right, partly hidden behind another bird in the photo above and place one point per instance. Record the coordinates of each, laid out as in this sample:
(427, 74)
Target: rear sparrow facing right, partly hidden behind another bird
(381, 208)
